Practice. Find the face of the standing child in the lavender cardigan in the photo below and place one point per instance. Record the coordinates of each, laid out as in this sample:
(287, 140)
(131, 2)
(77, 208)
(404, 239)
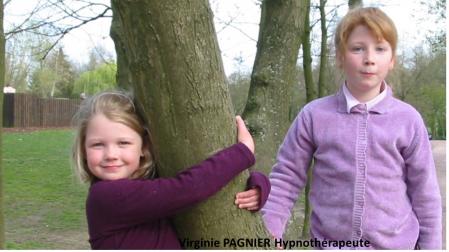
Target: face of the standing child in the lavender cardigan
(366, 62)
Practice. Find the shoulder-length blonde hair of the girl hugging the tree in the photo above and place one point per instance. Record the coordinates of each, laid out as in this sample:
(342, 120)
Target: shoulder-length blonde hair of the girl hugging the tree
(119, 107)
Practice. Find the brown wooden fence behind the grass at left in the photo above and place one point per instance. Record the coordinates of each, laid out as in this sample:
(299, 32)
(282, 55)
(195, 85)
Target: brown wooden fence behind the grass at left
(25, 110)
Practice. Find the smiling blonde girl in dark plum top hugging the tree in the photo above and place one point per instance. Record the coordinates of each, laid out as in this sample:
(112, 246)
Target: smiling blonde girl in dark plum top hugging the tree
(127, 206)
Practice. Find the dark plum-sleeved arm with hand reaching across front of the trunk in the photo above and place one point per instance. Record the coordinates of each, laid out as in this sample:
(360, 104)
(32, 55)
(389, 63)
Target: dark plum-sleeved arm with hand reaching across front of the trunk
(127, 202)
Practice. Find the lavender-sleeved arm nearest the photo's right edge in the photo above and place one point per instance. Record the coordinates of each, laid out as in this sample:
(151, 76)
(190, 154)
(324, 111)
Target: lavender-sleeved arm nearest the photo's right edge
(423, 190)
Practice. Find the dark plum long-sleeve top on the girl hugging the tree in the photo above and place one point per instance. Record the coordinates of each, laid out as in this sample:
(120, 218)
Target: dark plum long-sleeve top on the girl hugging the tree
(134, 214)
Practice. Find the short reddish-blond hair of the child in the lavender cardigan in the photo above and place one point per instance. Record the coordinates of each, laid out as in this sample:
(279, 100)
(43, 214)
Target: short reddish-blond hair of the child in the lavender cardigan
(381, 26)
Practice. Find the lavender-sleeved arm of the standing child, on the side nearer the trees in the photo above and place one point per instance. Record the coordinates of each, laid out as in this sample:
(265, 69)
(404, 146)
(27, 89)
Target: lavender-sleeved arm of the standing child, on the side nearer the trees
(289, 174)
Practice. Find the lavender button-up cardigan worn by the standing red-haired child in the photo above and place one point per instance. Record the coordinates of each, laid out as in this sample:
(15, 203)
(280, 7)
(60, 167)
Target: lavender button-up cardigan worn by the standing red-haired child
(373, 178)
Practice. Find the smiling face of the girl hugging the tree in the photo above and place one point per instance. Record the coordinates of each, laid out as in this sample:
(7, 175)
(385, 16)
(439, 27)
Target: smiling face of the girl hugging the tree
(113, 150)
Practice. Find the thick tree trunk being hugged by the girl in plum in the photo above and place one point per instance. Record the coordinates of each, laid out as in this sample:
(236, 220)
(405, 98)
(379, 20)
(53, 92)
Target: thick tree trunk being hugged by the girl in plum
(177, 75)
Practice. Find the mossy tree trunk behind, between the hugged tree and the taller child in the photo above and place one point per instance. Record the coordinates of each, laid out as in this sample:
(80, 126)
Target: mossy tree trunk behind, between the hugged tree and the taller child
(270, 98)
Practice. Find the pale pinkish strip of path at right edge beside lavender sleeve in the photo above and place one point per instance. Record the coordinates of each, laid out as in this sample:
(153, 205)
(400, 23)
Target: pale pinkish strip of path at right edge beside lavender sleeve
(439, 155)
